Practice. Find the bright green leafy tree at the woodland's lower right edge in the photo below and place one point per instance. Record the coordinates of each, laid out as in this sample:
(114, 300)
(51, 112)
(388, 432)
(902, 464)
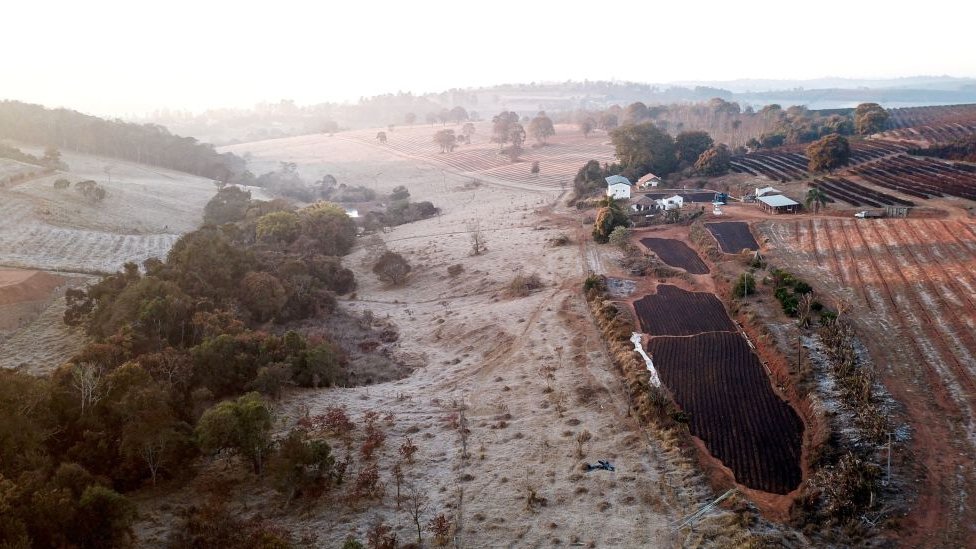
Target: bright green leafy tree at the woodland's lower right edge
(242, 425)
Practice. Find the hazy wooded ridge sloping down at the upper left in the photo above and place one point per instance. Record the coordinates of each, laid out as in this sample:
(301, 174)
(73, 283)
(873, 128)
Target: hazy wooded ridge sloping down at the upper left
(143, 143)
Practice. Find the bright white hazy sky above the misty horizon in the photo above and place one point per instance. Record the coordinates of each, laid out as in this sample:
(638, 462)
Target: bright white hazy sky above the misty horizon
(127, 57)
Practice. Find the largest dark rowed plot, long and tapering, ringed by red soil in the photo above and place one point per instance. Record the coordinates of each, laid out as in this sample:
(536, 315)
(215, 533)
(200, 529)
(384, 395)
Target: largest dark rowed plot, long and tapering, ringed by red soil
(720, 383)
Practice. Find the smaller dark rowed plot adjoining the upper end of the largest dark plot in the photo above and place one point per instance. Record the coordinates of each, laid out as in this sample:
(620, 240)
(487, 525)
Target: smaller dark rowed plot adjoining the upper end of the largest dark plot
(673, 311)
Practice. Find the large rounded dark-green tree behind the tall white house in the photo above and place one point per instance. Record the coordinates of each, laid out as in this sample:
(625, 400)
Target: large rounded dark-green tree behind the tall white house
(644, 148)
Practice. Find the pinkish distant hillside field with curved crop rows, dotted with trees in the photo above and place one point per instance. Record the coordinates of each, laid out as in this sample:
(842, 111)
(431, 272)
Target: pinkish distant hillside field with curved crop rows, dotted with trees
(559, 159)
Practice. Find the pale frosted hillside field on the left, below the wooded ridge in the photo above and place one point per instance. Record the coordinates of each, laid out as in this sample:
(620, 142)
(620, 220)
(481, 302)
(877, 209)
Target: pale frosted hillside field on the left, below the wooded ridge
(143, 215)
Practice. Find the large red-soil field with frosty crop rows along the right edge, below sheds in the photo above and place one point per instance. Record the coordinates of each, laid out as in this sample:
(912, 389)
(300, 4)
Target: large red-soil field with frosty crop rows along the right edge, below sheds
(910, 284)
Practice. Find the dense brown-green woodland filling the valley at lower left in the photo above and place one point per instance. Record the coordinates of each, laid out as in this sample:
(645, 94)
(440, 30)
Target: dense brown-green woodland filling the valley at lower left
(169, 343)
